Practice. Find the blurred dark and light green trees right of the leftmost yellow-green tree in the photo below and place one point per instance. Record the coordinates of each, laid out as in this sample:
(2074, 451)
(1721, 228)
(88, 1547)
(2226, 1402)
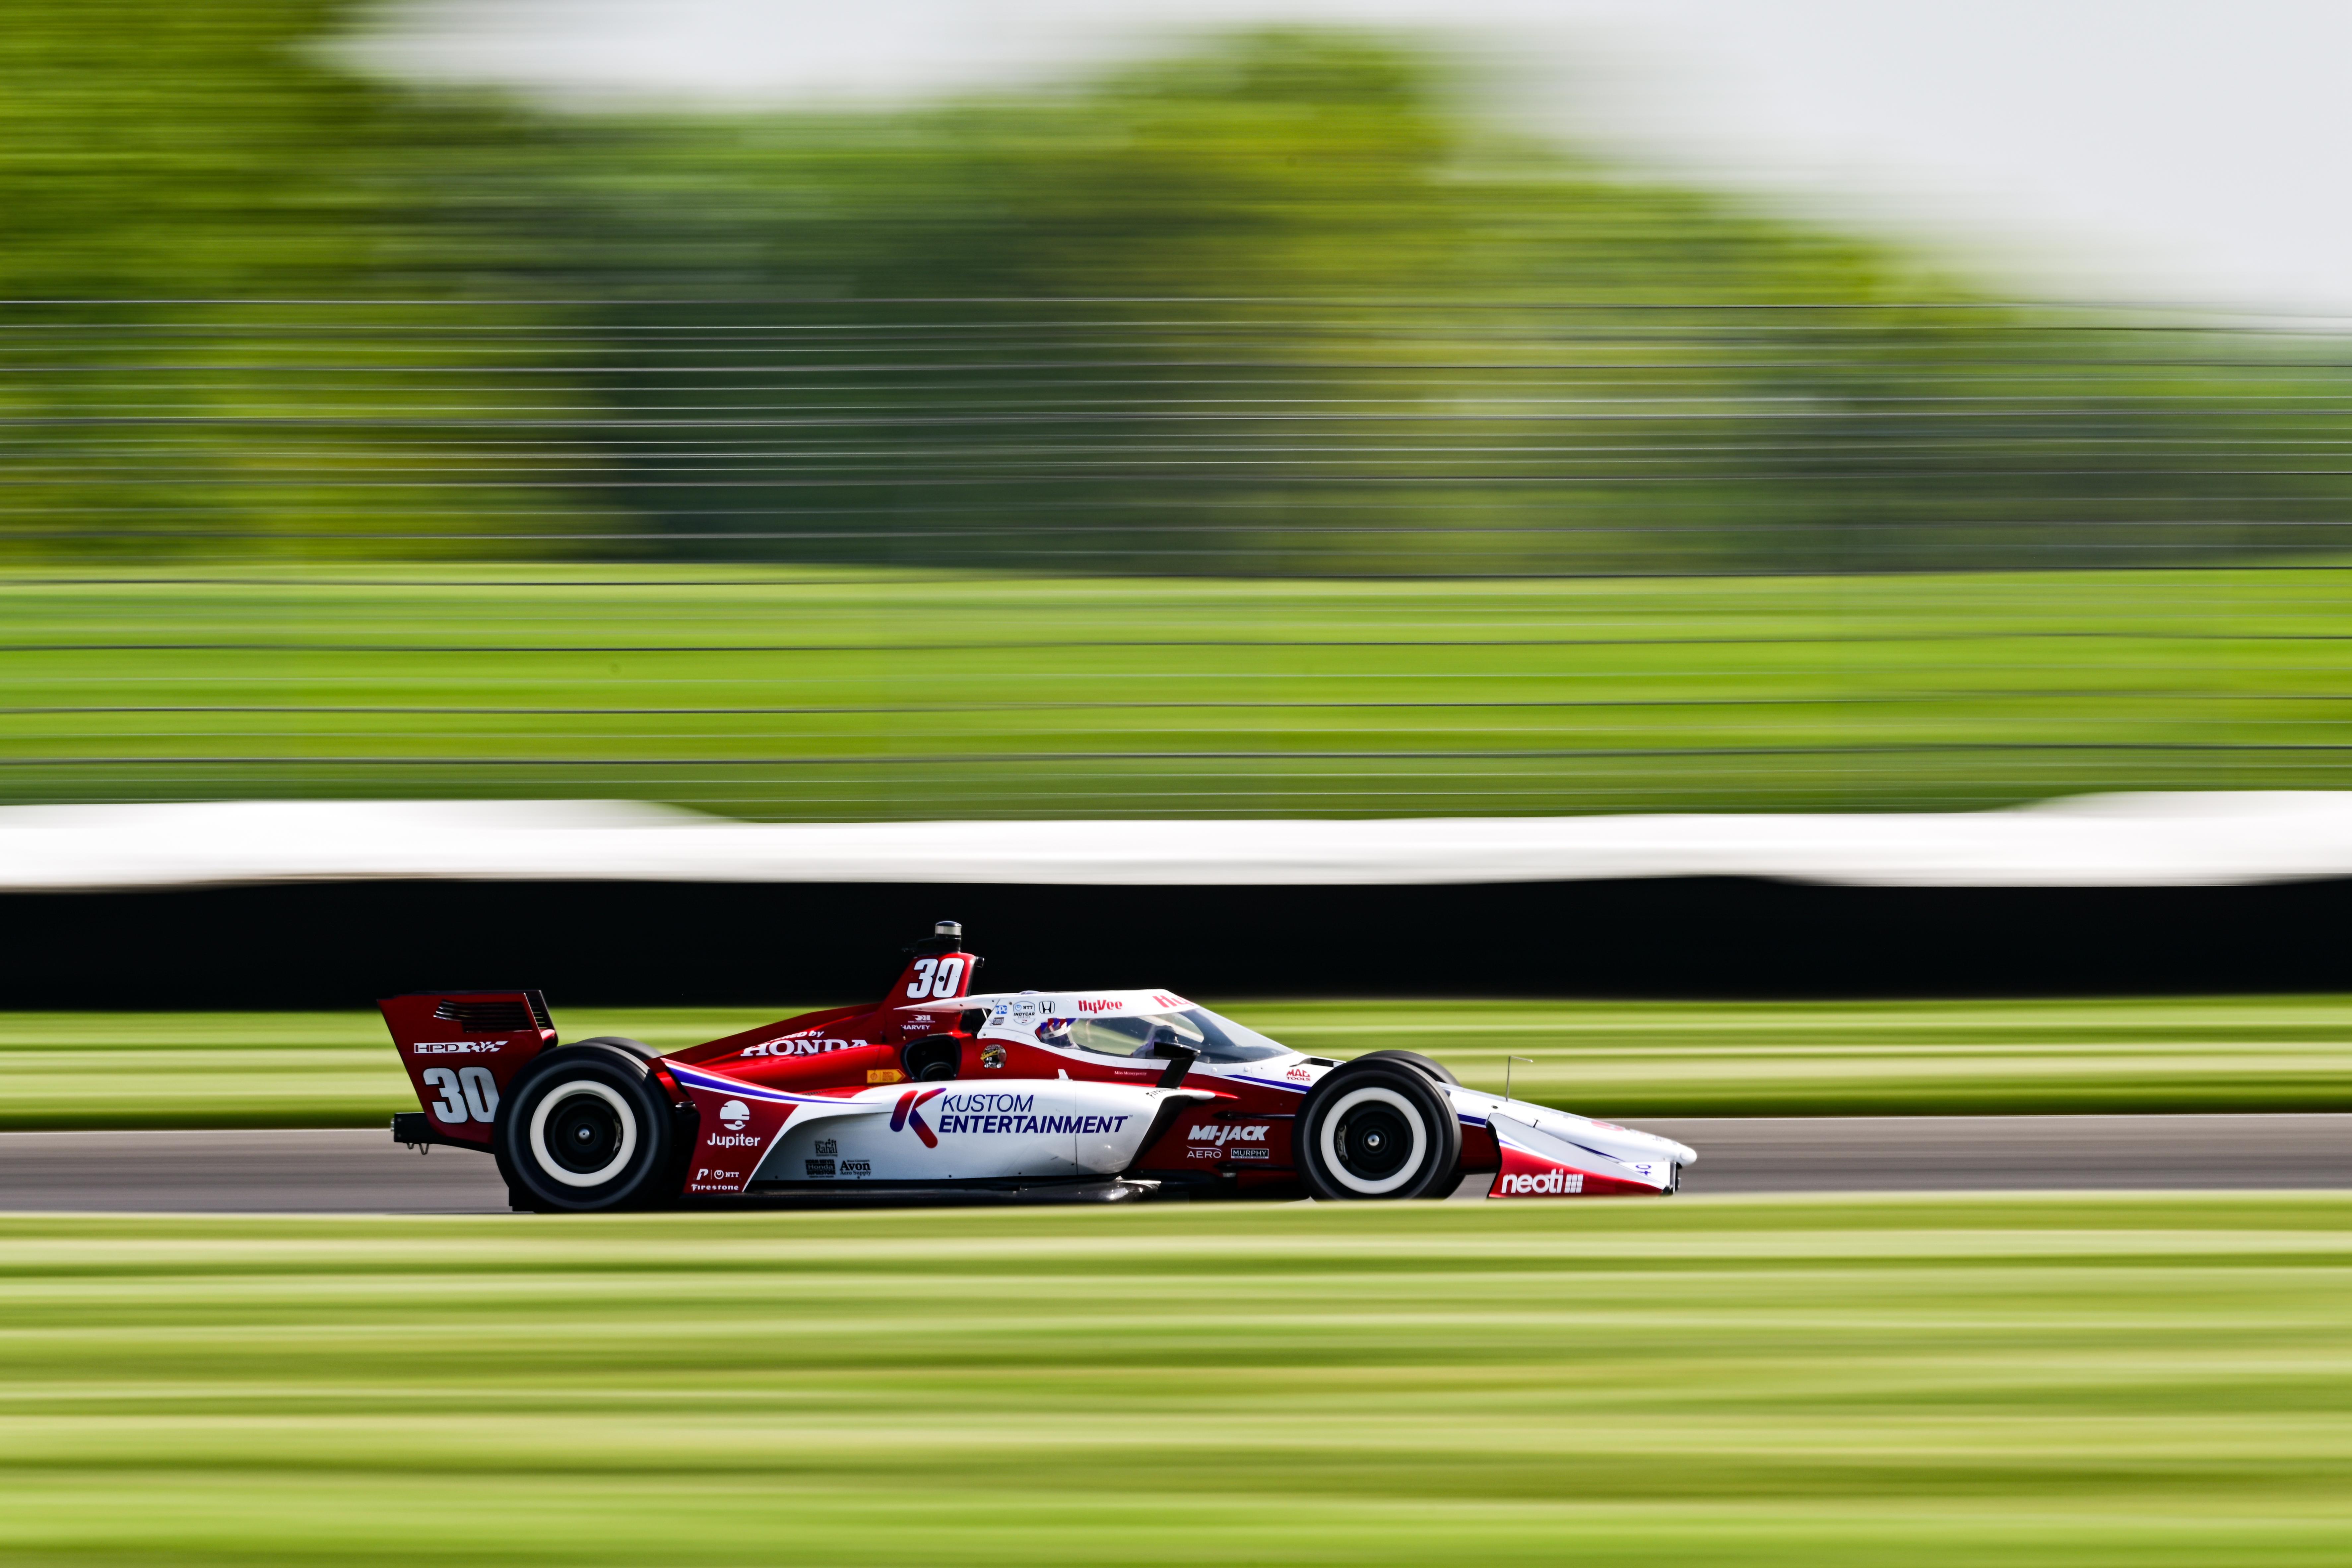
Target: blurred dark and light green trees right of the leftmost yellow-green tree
(1288, 304)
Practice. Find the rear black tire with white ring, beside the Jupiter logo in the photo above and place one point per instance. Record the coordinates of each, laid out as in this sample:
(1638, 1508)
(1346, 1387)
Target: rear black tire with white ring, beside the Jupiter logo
(584, 1130)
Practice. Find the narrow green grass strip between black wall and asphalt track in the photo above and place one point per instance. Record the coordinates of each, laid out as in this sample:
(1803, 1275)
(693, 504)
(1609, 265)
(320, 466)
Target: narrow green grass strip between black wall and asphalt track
(1608, 1059)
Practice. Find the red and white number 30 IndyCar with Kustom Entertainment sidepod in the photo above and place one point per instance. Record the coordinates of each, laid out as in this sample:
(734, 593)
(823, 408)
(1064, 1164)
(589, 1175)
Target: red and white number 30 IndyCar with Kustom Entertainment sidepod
(944, 1094)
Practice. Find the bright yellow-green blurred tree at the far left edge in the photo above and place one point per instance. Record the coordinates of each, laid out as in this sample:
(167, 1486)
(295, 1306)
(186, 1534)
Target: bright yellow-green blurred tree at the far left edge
(234, 297)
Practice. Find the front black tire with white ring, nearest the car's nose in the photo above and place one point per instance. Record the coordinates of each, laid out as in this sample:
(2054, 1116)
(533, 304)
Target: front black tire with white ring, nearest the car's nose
(1377, 1130)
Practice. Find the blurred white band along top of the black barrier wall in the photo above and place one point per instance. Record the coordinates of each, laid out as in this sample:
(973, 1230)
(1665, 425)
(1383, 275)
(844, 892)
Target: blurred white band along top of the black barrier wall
(2099, 840)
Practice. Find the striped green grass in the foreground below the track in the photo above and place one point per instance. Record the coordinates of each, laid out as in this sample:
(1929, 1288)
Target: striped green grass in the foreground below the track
(2038, 1381)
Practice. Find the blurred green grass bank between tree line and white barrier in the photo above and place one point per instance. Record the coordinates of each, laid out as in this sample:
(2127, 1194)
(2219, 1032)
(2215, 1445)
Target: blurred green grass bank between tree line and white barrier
(876, 695)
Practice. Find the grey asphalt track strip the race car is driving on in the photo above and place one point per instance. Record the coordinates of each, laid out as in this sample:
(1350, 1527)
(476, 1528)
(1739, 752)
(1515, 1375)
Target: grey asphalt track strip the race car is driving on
(366, 1172)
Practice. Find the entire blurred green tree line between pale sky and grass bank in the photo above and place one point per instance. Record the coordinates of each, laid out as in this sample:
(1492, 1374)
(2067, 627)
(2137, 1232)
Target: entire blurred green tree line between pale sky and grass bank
(1274, 307)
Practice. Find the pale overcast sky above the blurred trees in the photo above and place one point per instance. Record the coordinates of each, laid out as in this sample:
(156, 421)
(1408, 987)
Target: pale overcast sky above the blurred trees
(2134, 149)
